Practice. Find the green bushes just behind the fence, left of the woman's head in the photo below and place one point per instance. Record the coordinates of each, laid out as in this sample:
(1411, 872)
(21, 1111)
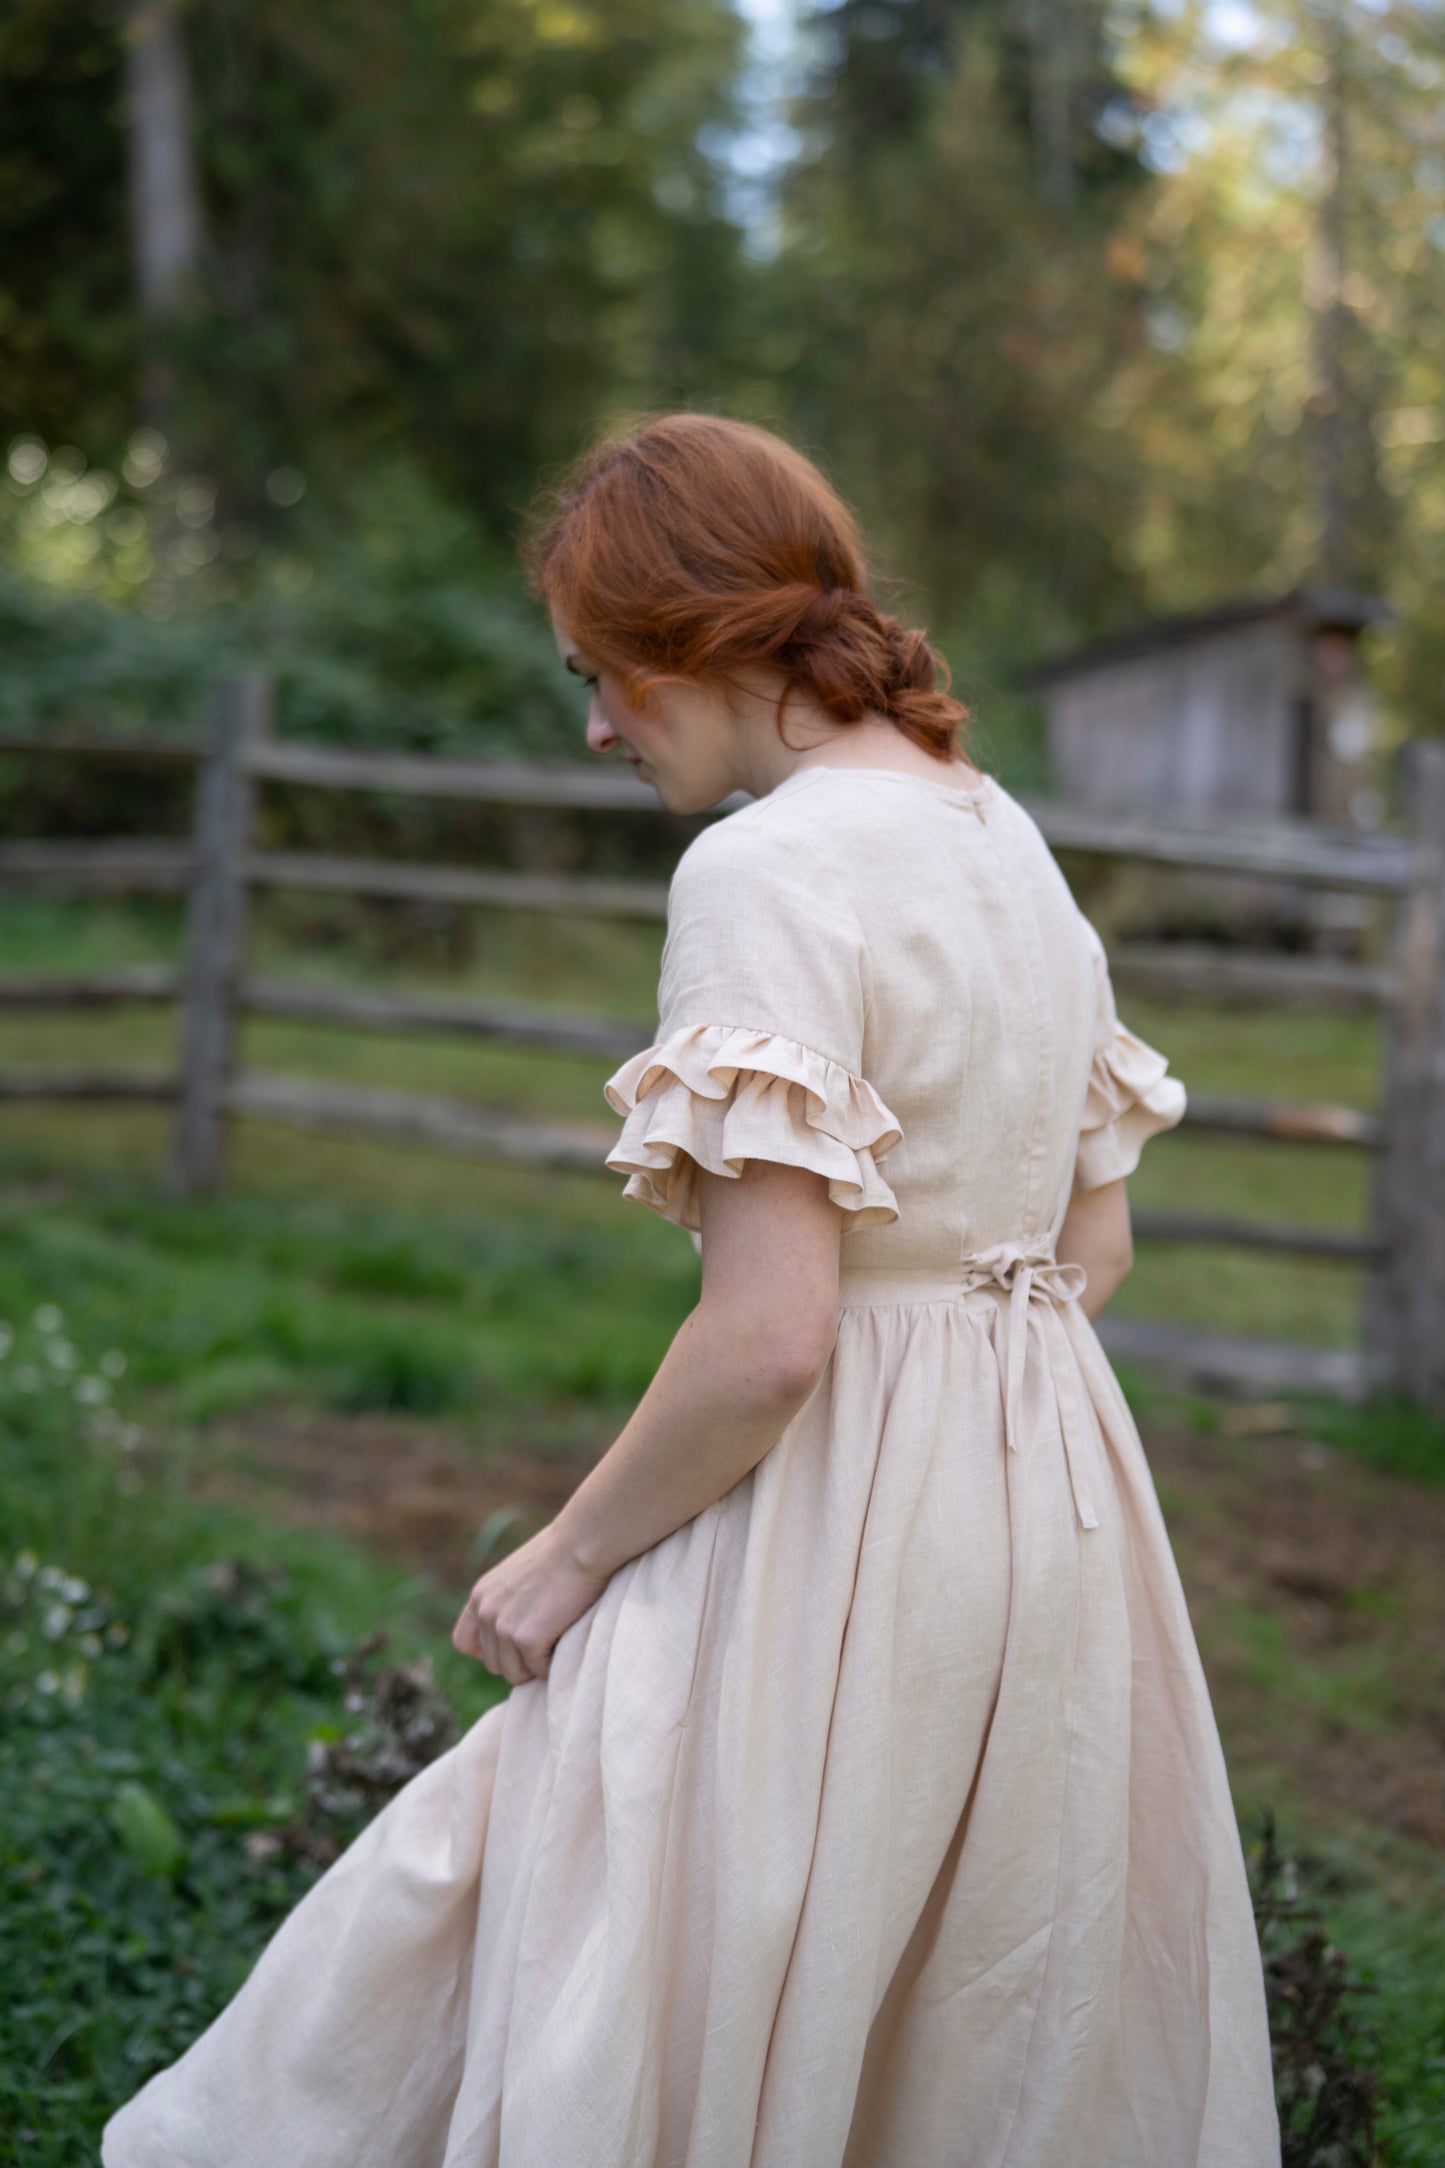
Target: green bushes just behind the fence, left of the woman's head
(400, 630)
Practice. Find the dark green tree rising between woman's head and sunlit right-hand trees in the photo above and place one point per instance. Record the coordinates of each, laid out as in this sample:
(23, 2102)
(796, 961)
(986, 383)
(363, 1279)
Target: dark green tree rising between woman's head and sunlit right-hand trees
(952, 287)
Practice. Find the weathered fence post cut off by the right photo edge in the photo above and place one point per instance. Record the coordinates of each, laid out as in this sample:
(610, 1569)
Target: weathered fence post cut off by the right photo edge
(1405, 1308)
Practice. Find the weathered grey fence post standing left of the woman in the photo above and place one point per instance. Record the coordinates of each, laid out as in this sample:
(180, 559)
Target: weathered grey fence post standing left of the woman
(216, 953)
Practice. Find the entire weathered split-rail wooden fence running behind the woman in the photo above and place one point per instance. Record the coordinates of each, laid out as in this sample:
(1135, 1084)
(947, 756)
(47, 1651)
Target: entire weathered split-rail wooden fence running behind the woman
(1403, 1248)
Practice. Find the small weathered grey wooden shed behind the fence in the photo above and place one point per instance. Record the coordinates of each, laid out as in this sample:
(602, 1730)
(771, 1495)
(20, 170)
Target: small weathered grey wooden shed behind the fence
(1255, 708)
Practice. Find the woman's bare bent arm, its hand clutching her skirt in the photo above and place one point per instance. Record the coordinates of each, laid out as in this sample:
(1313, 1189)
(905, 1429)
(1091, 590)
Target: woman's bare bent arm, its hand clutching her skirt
(738, 1371)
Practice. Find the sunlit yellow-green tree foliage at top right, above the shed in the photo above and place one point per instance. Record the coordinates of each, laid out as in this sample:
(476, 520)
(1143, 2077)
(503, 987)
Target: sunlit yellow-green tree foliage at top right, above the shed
(1288, 411)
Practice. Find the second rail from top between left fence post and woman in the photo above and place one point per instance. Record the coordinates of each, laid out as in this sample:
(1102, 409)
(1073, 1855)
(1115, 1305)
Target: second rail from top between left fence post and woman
(458, 886)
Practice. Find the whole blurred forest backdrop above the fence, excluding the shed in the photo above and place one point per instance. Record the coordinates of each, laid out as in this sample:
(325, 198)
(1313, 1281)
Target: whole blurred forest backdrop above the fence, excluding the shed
(1095, 311)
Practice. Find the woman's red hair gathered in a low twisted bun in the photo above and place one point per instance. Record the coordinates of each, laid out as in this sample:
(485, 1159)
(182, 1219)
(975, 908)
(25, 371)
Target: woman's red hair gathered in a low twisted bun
(692, 547)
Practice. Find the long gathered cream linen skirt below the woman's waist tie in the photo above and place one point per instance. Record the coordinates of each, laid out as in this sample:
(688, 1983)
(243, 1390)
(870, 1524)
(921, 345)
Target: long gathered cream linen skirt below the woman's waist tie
(872, 1820)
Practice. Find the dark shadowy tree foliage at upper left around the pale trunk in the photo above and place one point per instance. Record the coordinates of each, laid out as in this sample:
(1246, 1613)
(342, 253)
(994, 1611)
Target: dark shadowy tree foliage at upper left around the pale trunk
(452, 227)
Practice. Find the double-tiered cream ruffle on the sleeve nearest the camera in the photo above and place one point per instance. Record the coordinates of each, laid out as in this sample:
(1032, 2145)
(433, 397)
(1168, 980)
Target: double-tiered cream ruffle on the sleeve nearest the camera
(718, 1096)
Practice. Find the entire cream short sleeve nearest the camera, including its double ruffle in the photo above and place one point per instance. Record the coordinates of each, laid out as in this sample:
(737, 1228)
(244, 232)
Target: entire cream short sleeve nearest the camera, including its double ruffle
(761, 1031)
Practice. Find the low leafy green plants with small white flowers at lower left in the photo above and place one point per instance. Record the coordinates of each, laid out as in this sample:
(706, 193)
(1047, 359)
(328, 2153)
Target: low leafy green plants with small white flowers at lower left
(168, 1679)
